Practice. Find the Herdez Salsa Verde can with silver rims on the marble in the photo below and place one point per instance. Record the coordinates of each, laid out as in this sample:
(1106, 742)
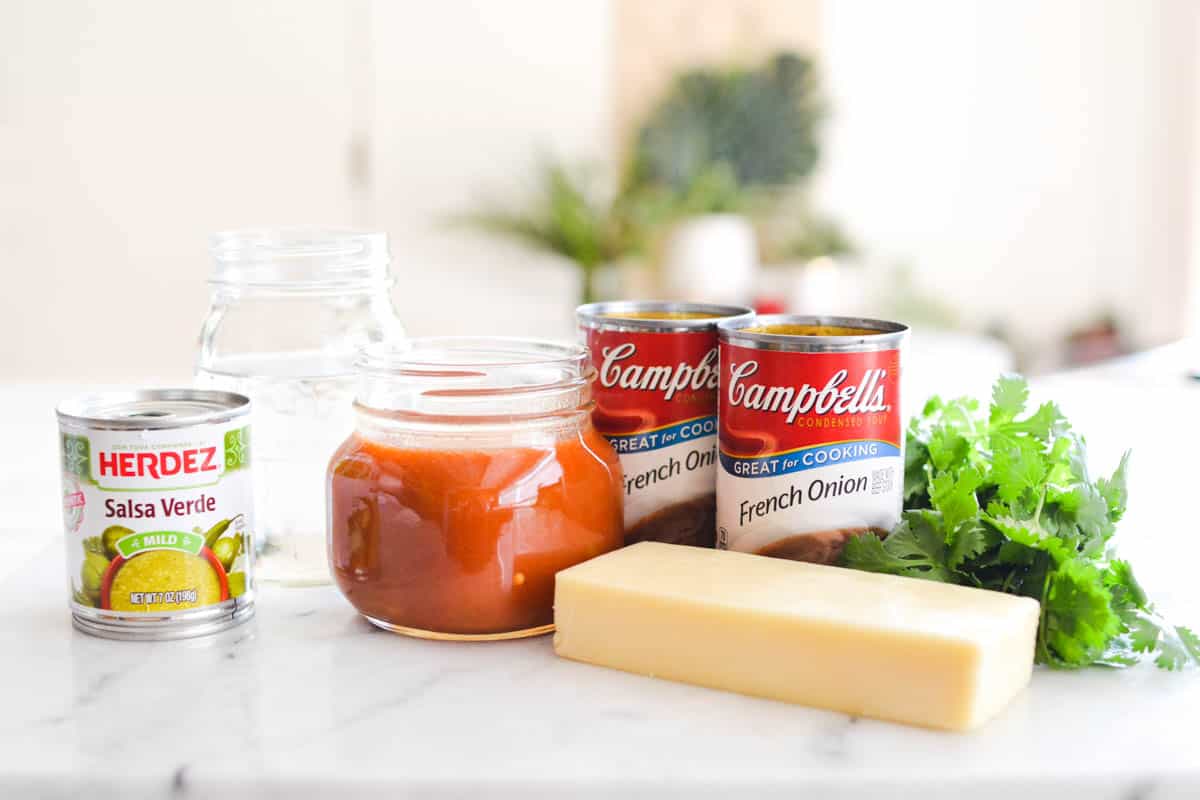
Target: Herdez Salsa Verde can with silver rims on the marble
(158, 509)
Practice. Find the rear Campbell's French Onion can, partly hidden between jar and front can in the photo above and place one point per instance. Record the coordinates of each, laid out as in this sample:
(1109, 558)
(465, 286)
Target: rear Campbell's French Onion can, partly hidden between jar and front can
(656, 402)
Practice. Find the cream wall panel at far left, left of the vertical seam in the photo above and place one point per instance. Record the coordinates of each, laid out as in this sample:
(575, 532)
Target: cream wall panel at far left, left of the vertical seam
(129, 131)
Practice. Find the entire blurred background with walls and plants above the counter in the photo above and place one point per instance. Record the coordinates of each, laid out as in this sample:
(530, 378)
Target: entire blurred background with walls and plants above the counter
(1019, 179)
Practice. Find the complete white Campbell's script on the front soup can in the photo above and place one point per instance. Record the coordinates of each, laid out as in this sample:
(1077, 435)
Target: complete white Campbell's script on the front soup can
(837, 396)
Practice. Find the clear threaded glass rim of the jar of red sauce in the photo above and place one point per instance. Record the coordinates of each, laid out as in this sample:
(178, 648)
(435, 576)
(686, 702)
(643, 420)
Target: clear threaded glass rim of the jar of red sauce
(475, 377)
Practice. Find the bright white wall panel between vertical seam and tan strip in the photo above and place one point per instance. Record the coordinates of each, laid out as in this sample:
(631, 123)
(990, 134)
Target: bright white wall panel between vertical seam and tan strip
(467, 98)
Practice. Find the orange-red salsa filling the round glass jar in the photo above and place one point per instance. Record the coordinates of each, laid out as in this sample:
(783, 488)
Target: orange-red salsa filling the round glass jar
(466, 543)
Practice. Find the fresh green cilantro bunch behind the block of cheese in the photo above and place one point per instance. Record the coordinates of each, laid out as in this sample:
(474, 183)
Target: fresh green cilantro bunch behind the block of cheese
(1004, 501)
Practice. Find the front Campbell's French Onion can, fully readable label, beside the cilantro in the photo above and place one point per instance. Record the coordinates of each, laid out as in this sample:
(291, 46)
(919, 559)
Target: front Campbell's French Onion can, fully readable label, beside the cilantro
(812, 435)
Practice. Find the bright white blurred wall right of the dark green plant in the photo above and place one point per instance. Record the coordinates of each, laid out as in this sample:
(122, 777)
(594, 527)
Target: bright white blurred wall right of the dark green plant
(1028, 159)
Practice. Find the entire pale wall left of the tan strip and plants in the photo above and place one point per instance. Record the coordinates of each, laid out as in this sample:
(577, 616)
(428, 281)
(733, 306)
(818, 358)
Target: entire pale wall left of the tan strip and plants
(130, 130)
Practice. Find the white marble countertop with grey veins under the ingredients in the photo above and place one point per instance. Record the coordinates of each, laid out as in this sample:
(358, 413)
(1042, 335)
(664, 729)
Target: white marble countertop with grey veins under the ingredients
(309, 701)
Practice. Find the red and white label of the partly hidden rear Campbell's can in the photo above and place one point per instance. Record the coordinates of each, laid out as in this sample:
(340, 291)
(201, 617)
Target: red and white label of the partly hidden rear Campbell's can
(656, 396)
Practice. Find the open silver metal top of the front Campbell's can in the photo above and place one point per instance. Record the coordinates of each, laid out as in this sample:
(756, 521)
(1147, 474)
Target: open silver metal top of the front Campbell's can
(866, 334)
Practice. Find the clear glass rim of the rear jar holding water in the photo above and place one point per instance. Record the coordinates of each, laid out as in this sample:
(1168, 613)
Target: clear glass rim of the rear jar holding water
(303, 258)
